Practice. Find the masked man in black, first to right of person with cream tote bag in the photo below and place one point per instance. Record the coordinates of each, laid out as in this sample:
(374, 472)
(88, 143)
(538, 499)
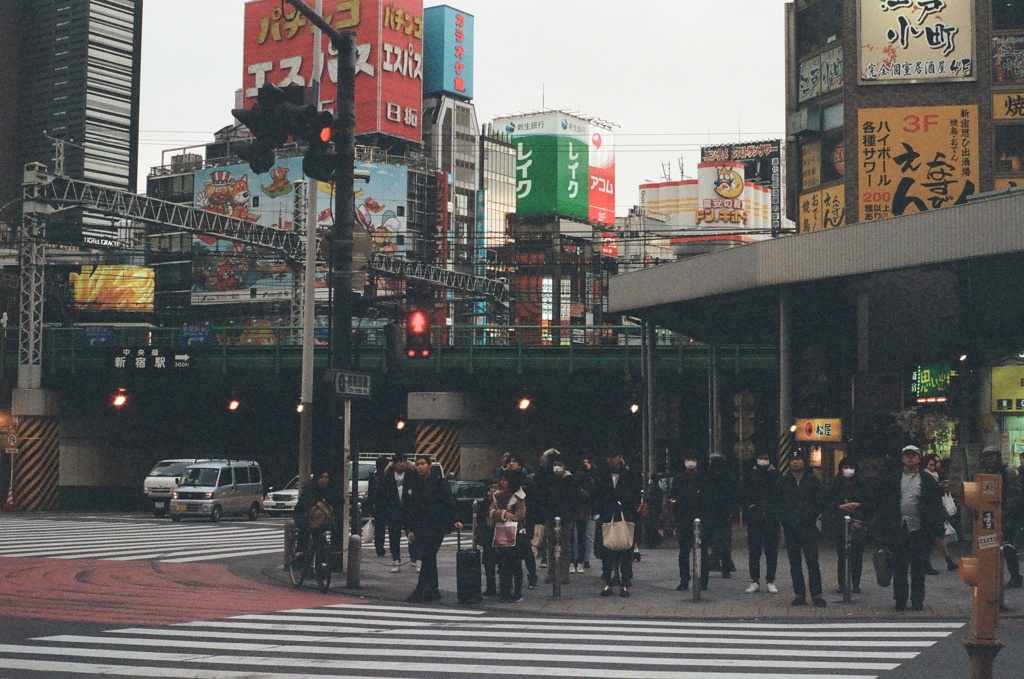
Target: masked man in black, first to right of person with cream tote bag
(691, 496)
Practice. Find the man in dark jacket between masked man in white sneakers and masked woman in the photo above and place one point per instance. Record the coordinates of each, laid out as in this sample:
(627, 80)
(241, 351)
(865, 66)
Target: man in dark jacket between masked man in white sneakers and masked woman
(801, 499)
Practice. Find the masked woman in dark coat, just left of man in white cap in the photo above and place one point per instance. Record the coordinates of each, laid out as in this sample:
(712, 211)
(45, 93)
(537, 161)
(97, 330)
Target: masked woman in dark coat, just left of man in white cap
(849, 496)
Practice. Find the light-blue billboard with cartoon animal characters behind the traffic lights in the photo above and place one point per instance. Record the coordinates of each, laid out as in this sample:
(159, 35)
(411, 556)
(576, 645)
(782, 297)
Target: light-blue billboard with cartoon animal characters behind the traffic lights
(228, 273)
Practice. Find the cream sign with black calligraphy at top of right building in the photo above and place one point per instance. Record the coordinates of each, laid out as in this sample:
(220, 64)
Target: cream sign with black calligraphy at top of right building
(905, 41)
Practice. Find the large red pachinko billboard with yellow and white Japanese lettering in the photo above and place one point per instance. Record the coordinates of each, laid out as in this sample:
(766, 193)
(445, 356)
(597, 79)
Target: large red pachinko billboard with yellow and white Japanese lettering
(279, 48)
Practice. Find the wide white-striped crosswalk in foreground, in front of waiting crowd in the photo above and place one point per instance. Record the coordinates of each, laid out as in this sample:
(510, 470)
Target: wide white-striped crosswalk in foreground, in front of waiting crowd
(372, 641)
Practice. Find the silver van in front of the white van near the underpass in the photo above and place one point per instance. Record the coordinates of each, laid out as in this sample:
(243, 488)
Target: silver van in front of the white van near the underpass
(219, 488)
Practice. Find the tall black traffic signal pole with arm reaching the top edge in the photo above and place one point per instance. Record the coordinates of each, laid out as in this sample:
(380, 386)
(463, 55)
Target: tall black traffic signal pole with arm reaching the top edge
(342, 246)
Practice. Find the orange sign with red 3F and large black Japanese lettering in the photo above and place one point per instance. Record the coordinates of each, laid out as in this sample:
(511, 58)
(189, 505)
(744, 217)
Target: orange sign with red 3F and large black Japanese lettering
(916, 159)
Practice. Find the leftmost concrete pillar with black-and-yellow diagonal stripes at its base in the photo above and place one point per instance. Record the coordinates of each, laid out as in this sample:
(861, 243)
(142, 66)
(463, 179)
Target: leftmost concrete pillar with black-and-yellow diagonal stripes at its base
(37, 462)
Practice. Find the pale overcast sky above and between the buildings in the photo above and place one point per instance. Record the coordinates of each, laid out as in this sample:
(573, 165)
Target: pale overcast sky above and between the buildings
(673, 75)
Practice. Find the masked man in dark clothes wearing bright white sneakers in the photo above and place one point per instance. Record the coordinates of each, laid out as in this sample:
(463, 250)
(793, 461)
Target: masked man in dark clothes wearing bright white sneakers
(762, 522)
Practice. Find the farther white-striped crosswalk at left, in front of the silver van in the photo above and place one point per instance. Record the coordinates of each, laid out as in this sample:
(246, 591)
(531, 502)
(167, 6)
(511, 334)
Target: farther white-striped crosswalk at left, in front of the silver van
(134, 539)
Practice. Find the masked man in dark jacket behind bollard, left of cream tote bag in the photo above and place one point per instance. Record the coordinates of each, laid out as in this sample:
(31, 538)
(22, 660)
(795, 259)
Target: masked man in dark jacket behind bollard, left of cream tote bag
(560, 497)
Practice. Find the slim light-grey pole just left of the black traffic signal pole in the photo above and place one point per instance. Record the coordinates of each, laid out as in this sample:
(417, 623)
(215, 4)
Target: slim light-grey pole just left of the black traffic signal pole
(310, 288)
